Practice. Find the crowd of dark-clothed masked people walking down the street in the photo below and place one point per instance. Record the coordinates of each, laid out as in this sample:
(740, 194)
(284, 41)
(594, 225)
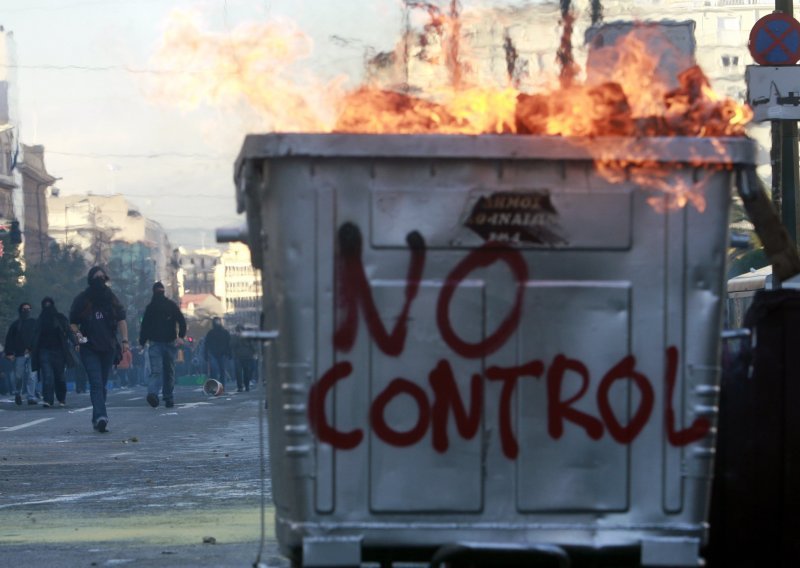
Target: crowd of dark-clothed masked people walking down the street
(45, 356)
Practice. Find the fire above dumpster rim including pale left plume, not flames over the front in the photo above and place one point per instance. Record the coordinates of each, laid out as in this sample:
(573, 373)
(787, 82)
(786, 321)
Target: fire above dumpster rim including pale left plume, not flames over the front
(625, 92)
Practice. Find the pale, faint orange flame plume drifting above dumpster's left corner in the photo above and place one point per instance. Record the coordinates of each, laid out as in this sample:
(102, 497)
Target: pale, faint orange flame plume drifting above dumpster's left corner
(254, 64)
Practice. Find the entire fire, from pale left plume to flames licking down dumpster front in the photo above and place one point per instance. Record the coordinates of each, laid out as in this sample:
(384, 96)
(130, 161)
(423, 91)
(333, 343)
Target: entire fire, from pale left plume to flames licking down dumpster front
(640, 86)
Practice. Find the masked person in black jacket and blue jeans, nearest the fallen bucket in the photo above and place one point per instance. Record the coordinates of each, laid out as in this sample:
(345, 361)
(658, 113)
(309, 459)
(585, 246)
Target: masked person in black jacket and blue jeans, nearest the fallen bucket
(161, 317)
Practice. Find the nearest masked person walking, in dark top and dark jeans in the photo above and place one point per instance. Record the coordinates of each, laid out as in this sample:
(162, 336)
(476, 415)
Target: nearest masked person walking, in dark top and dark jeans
(97, 316)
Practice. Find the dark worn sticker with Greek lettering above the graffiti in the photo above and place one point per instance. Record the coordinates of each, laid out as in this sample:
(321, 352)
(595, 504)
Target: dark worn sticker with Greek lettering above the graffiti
(517, 218)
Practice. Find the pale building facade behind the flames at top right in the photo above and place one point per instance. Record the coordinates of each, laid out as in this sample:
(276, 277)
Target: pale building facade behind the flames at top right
(517, 44)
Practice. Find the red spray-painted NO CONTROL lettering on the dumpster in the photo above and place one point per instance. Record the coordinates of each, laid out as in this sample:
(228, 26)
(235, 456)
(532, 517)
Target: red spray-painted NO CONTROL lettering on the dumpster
(355, 296)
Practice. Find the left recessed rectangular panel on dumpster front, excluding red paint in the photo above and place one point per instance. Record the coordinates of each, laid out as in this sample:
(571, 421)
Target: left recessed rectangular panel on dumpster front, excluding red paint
(418, 477)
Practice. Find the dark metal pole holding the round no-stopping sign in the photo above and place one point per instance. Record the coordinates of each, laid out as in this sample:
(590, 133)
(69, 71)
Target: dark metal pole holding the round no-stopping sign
(788, 161)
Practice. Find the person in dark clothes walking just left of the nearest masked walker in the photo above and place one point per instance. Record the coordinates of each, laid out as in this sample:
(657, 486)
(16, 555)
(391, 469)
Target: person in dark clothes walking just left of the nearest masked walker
(52, 342)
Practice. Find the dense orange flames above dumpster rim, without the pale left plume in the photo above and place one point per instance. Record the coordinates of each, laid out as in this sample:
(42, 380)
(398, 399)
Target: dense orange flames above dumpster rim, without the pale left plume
(628, 95)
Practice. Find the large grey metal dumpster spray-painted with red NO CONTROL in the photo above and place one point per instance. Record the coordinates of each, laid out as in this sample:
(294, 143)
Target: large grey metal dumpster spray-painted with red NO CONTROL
(485, 343)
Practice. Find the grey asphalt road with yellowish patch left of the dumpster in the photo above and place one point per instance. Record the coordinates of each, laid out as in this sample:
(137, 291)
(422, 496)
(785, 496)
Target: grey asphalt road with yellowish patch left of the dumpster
(147, 493)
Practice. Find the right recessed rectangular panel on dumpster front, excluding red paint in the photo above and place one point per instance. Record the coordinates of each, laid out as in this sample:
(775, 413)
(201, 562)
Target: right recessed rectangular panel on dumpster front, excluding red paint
(595, 474)
